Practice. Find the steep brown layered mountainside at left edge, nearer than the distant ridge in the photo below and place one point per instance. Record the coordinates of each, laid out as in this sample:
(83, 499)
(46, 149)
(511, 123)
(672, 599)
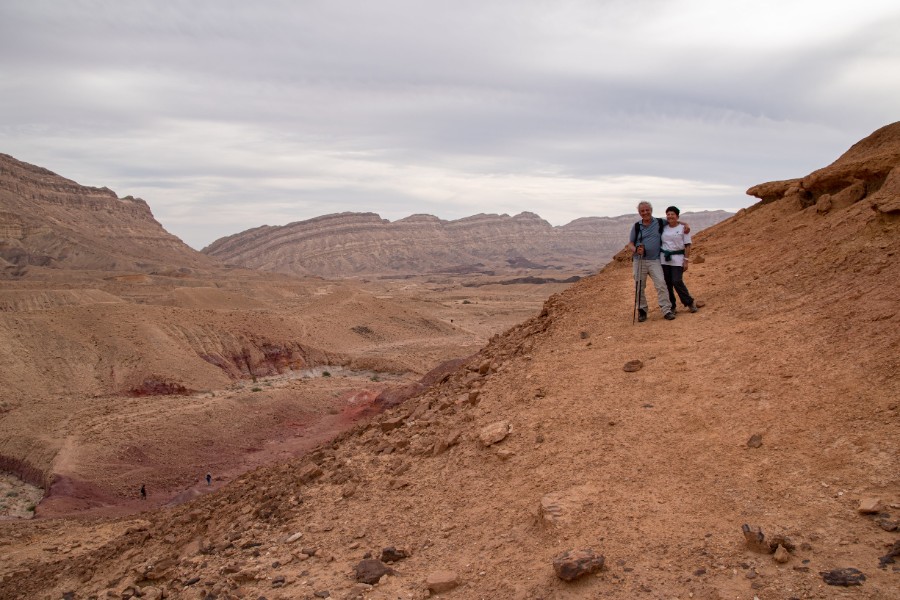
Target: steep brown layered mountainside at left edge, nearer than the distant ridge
(50, 221)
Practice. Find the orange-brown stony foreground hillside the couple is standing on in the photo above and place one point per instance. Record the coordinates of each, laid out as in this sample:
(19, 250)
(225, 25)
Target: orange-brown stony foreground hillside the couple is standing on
(749, 450)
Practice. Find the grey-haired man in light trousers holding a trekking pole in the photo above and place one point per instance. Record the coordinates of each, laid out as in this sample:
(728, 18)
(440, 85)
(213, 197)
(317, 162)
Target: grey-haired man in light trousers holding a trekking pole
(644, 243)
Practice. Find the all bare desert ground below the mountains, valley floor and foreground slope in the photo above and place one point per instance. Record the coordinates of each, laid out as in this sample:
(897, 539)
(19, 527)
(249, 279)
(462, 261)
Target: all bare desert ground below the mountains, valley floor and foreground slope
(750, 450)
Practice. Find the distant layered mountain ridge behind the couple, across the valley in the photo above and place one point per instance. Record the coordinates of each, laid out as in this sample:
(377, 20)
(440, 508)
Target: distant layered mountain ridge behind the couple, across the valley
(364, 244)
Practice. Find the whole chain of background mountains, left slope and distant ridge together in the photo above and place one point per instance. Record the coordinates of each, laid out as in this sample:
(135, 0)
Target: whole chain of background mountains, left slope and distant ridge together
(50, 222)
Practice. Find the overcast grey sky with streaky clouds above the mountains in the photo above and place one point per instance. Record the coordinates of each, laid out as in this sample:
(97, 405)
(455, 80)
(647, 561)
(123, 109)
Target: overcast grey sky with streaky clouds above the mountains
(228, 115)
